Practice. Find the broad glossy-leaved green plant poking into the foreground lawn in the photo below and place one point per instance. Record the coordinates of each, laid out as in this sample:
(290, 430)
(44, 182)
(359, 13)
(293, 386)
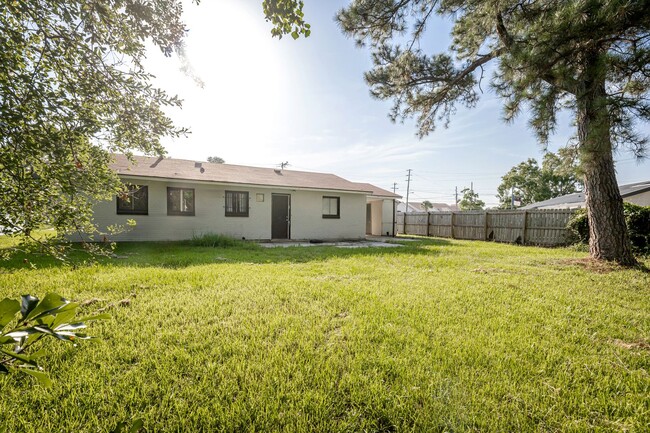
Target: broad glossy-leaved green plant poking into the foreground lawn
(53, 316)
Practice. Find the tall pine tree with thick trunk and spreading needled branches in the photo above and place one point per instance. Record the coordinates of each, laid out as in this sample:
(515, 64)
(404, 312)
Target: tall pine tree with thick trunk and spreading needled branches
(587, 56)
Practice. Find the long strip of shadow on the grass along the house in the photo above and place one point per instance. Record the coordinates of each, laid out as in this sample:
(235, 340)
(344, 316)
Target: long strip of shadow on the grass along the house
(181, 254)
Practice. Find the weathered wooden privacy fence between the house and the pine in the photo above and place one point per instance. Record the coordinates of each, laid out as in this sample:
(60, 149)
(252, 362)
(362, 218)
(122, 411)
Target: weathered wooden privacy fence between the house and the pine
(533, 227)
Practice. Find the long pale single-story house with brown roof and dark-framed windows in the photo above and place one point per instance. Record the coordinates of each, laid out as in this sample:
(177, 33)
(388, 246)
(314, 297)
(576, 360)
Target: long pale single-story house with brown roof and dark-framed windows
(175, 199)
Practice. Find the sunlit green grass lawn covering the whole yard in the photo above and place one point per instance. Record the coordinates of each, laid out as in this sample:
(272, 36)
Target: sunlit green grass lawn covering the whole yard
(434, 336)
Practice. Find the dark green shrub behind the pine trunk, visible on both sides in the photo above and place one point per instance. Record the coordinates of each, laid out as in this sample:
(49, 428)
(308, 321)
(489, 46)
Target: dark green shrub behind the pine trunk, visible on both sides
(637, 219)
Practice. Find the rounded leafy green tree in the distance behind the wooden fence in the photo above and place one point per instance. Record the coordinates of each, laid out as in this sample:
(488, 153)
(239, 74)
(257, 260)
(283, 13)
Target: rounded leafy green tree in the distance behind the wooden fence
(531, 183)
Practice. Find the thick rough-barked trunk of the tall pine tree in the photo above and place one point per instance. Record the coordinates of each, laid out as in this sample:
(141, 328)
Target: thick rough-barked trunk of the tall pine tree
(608, 238)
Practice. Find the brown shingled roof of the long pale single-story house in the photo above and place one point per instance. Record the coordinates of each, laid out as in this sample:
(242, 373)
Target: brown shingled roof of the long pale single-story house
(182, 169)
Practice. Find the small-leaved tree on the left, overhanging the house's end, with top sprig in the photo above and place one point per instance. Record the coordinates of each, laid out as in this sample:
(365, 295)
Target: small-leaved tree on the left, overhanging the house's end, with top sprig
(73, 90)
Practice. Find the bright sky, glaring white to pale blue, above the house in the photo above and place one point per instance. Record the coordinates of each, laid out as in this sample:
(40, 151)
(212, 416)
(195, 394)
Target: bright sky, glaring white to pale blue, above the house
(267, 100)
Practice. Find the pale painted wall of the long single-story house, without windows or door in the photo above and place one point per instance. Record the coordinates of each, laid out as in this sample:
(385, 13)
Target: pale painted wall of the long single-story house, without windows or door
(209, 203)
